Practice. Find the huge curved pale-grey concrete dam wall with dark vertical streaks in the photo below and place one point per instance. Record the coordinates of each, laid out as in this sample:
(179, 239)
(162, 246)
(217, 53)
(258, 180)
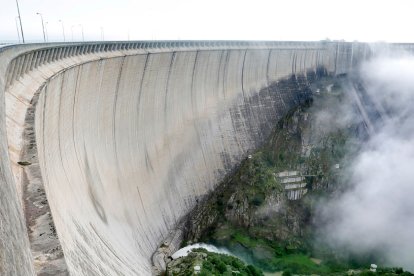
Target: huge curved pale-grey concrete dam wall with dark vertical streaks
(129, 136)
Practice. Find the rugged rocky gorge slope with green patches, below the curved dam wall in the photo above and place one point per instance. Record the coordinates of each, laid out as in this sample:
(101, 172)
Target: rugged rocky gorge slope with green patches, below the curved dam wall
(264, 211)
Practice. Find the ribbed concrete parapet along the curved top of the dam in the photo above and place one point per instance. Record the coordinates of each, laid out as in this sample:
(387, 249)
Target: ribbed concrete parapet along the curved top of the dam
(30, 60)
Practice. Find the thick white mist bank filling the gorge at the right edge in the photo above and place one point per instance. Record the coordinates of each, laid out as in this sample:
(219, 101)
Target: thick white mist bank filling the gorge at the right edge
(376, 212)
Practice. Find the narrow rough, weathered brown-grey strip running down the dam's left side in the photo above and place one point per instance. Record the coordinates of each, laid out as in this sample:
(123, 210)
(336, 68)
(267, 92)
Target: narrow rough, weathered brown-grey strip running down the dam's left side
(44, 242)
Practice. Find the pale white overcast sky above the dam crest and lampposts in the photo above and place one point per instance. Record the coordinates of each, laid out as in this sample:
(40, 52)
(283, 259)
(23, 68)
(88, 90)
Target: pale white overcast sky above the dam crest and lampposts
(362, 20)
